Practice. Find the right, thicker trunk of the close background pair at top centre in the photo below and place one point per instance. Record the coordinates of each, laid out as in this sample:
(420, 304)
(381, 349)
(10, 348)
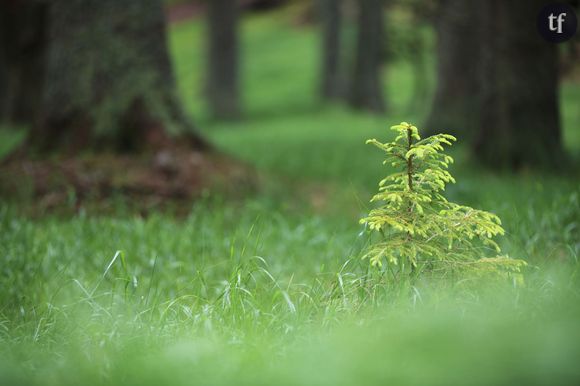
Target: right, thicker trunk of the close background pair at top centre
(366, 87)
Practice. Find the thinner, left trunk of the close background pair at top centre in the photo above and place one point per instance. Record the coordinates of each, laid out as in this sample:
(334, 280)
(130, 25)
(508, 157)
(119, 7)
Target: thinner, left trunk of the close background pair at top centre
(330, 19)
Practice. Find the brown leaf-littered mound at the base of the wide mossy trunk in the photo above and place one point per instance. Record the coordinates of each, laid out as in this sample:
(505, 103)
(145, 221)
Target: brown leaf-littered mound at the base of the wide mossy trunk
(168, 178)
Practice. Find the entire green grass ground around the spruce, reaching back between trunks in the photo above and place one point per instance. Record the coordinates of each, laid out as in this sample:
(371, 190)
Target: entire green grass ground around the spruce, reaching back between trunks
(270, 289)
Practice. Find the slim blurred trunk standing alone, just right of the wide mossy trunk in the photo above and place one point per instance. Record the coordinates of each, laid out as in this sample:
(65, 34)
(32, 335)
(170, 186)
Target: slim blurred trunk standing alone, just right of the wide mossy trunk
(222, 87)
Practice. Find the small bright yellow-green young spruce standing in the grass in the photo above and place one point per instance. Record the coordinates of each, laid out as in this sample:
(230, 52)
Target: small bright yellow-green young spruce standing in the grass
(416, 222)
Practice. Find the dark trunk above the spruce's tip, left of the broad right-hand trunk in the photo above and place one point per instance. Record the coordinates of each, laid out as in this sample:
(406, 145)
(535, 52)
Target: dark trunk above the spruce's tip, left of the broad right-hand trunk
(455, 104)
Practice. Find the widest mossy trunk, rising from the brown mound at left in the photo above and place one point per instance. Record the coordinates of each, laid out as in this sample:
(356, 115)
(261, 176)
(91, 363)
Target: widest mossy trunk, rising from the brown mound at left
(109, 82)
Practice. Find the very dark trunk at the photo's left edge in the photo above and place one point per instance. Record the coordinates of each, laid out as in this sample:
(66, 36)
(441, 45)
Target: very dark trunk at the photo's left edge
(22, 49)
